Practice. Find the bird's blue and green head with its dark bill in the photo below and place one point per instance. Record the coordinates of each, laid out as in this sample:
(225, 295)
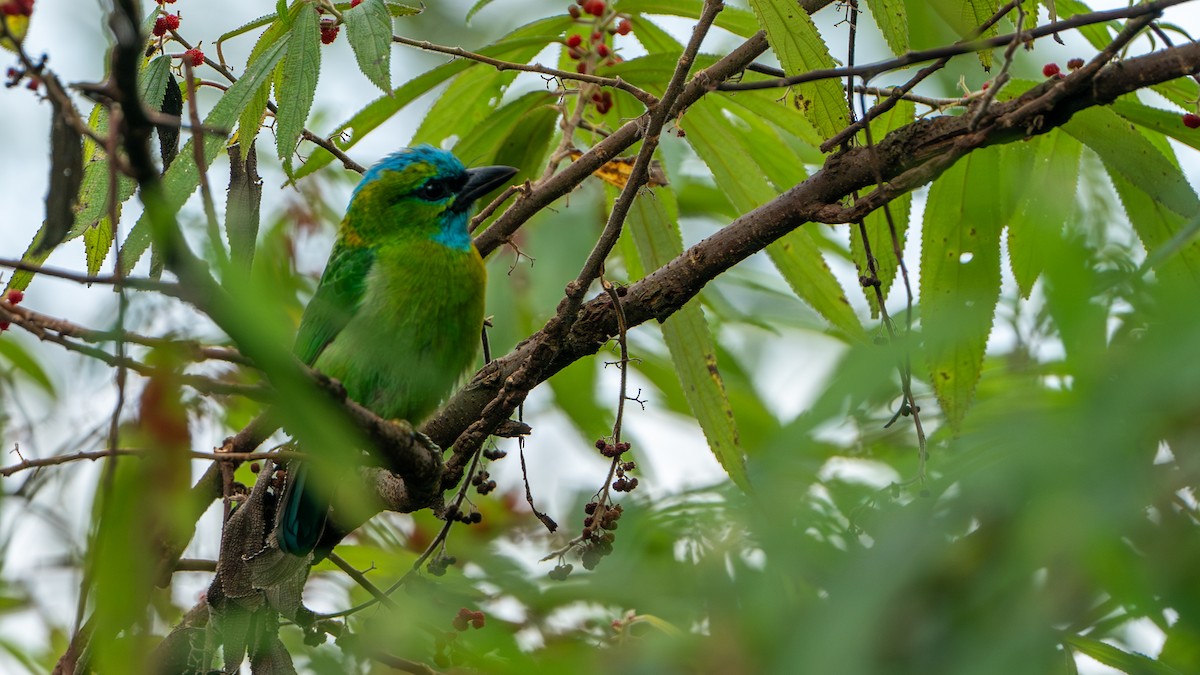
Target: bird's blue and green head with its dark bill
(421, 192)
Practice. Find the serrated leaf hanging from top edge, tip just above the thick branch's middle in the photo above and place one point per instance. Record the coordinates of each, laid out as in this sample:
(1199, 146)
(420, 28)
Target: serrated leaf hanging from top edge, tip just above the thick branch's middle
(796, 41)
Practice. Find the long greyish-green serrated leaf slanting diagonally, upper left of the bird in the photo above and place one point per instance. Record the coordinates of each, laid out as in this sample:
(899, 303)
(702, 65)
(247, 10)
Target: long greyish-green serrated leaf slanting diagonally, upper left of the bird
(183, 178)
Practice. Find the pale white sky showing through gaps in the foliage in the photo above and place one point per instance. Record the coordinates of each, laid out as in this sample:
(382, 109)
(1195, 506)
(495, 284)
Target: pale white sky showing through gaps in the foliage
(73, 33)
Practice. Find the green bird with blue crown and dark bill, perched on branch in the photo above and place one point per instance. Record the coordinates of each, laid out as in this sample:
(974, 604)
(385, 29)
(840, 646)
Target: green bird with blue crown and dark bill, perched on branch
(399, 310)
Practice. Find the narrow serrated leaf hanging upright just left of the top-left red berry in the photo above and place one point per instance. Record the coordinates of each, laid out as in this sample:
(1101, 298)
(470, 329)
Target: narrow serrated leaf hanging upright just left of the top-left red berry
(297, 85)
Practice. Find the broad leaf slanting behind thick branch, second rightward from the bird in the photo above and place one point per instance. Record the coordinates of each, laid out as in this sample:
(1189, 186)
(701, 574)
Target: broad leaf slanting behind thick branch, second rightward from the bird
(736, 159)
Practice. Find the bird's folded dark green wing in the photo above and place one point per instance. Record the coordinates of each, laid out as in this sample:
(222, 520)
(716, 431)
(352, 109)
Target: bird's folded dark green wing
(337, 301)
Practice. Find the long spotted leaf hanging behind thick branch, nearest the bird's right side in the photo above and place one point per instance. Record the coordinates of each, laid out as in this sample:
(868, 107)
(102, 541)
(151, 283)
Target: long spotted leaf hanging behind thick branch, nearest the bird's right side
(655, 226)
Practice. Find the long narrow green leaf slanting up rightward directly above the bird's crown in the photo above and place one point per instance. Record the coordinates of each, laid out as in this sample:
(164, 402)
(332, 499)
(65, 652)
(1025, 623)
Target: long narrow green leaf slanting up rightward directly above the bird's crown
(383, 109)
